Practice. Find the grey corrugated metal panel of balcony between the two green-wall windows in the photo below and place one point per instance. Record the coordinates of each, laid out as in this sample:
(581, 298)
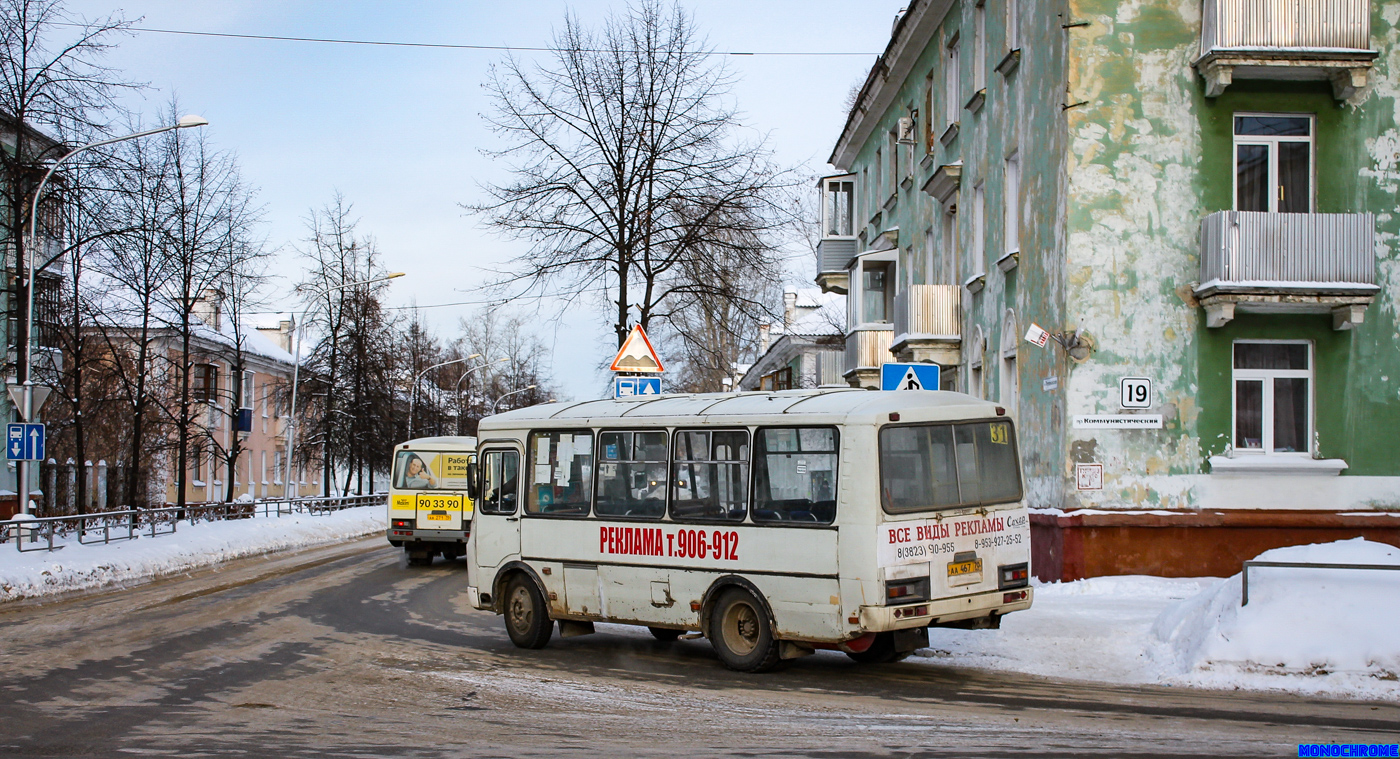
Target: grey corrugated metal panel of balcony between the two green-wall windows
(1289, 251)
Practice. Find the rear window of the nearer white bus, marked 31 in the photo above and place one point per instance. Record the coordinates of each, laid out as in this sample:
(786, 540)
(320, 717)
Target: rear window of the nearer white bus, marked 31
(934, 467)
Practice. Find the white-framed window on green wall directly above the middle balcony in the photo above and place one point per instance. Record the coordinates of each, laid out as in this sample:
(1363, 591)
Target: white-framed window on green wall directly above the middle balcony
(1273, 163)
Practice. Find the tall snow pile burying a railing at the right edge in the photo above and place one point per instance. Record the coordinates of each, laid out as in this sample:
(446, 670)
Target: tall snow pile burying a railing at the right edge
(1339, 628)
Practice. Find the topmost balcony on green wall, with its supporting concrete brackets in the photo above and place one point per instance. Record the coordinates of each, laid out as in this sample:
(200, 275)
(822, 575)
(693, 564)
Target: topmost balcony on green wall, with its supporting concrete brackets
(1286, 40)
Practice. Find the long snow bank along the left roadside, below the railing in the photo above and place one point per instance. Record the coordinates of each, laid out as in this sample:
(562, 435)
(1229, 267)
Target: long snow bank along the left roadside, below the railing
(92, 566)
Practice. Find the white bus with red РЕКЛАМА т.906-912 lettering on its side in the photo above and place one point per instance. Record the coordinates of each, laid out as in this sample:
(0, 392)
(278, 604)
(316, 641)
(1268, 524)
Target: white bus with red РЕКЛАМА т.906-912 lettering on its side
(775, 523)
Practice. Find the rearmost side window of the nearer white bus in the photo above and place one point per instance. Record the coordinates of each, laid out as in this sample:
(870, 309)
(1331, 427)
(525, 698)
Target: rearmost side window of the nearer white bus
(794, 475)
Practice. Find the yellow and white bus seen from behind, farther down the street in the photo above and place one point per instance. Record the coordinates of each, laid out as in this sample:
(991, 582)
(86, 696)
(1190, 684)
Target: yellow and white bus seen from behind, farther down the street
(430, 505)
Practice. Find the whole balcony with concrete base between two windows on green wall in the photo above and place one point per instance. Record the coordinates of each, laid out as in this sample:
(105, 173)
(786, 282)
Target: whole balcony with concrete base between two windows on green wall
(1287, 263)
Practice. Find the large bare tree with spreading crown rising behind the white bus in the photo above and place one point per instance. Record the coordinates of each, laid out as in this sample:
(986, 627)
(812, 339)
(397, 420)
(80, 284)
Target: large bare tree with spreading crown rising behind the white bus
(626, 166)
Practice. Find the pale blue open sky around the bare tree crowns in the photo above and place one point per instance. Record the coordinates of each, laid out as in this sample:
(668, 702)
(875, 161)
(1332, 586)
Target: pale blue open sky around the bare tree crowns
(398, 130)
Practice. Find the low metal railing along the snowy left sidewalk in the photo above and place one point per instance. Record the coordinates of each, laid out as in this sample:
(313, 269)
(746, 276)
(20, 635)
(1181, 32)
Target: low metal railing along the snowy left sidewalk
(50, 533)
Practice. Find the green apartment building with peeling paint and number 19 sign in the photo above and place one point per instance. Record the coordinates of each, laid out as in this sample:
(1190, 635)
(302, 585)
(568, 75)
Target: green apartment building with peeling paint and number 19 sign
(1199, 201)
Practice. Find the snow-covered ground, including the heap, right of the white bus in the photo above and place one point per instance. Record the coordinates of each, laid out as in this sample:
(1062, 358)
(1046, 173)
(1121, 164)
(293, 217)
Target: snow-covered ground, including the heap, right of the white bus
(1325, 632)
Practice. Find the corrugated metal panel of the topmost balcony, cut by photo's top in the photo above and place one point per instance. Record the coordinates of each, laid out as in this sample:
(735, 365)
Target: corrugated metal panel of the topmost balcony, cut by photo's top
(1298, 25)
